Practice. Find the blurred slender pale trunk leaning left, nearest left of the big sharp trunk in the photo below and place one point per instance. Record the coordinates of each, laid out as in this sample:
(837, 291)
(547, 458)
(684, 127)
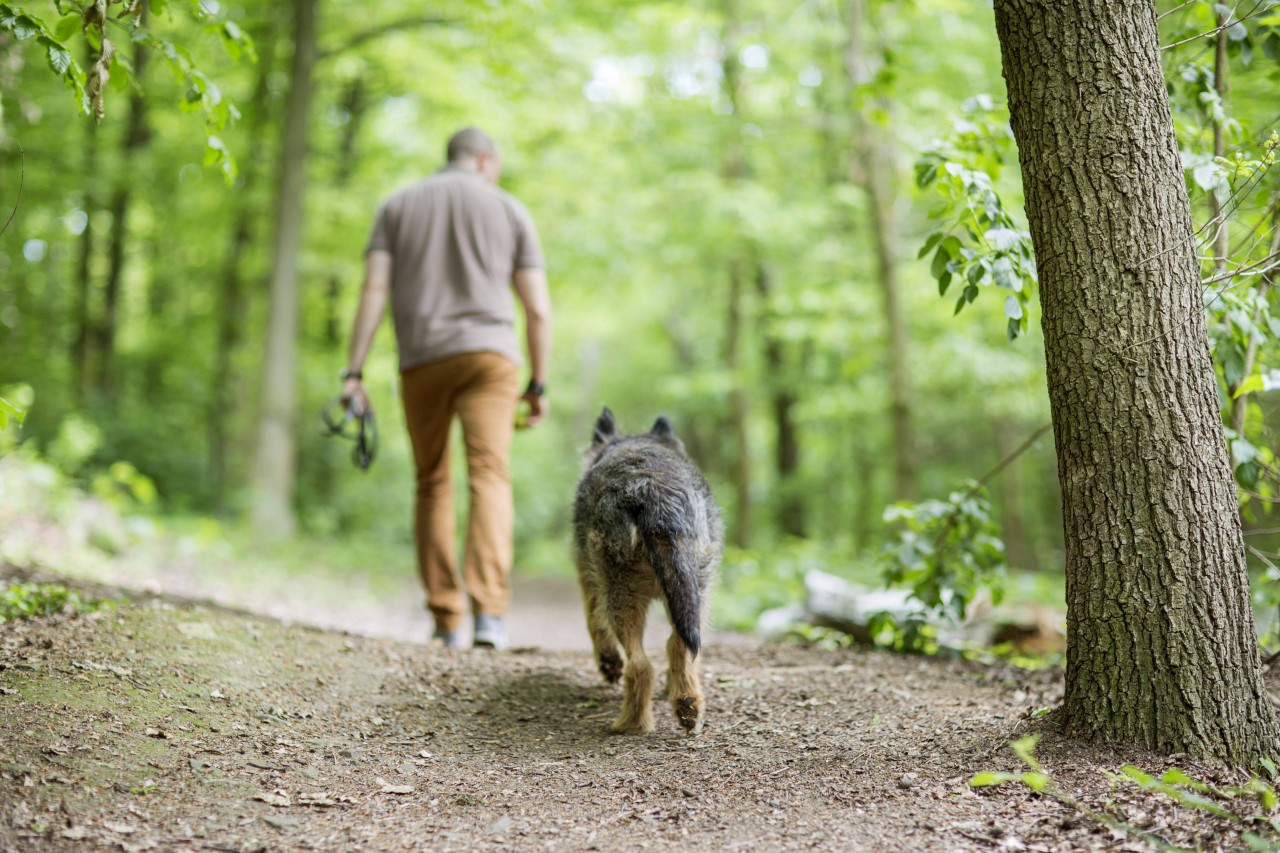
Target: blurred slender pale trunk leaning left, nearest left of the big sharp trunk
(875, 171)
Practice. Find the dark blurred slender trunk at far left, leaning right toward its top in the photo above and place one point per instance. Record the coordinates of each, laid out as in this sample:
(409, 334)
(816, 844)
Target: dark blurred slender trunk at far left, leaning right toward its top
(136, 135)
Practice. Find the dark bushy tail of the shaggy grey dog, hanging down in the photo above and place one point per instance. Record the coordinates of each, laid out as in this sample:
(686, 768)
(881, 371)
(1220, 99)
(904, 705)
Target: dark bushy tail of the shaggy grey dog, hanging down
(665, 523)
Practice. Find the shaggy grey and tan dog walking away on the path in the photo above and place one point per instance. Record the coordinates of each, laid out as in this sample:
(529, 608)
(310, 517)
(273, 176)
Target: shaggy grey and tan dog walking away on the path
(646, 526)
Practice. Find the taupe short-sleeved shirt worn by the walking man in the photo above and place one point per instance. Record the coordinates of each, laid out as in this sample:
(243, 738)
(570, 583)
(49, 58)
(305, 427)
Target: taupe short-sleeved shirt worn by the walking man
(455, 240)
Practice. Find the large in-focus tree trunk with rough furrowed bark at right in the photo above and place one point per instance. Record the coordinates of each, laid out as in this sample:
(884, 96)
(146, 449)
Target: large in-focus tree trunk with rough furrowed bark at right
(1162, 649)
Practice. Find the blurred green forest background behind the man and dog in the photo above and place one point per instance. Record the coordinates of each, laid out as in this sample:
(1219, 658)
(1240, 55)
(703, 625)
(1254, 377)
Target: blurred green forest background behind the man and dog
(749, 211)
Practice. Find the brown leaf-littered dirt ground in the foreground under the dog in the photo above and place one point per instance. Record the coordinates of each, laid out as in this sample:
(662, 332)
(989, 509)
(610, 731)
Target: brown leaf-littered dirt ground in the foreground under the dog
(179, 726)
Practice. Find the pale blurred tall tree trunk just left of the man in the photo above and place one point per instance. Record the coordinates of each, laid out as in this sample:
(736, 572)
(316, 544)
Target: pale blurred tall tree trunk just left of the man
(275, 467)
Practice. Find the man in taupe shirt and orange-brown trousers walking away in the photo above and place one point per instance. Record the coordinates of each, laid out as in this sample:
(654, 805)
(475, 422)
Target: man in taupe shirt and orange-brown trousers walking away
(450, 250)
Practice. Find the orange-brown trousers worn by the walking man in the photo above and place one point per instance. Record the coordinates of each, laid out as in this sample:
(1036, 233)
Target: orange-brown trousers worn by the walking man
(482, 390)
